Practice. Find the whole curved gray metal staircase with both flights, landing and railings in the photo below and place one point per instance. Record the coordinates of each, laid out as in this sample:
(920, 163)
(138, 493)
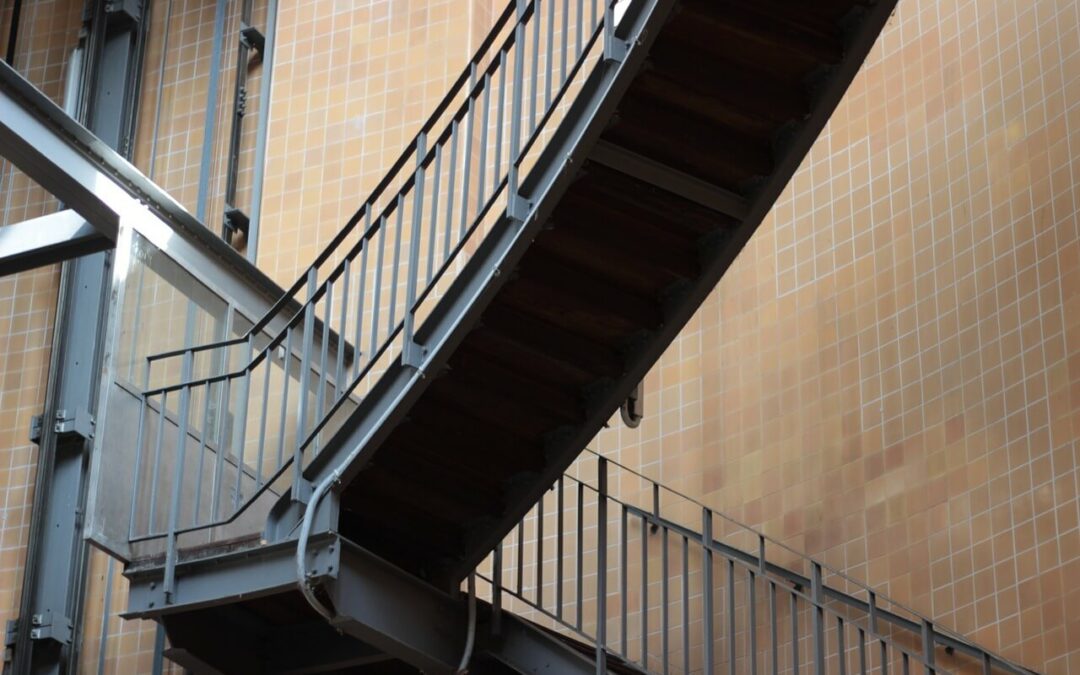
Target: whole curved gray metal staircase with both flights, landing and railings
(310, 494)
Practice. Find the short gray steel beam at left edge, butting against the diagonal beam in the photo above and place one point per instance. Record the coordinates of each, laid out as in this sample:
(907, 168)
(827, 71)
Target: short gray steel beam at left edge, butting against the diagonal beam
(56, 238)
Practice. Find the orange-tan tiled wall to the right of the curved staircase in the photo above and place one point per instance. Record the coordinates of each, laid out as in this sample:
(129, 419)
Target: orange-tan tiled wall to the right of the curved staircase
(887, 379)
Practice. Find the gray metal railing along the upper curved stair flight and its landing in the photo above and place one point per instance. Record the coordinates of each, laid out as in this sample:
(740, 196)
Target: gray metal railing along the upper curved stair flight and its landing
(222, 424)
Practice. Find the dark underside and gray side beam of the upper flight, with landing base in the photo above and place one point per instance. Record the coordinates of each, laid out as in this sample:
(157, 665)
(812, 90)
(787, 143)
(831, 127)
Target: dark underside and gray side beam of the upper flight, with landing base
(671, 156)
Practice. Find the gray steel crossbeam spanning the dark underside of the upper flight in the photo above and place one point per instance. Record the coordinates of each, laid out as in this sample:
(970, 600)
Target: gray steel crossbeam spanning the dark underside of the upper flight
(670, 180)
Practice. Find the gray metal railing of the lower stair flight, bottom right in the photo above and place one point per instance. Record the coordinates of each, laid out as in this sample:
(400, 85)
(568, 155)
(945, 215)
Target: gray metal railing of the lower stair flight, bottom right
(687, 590)
